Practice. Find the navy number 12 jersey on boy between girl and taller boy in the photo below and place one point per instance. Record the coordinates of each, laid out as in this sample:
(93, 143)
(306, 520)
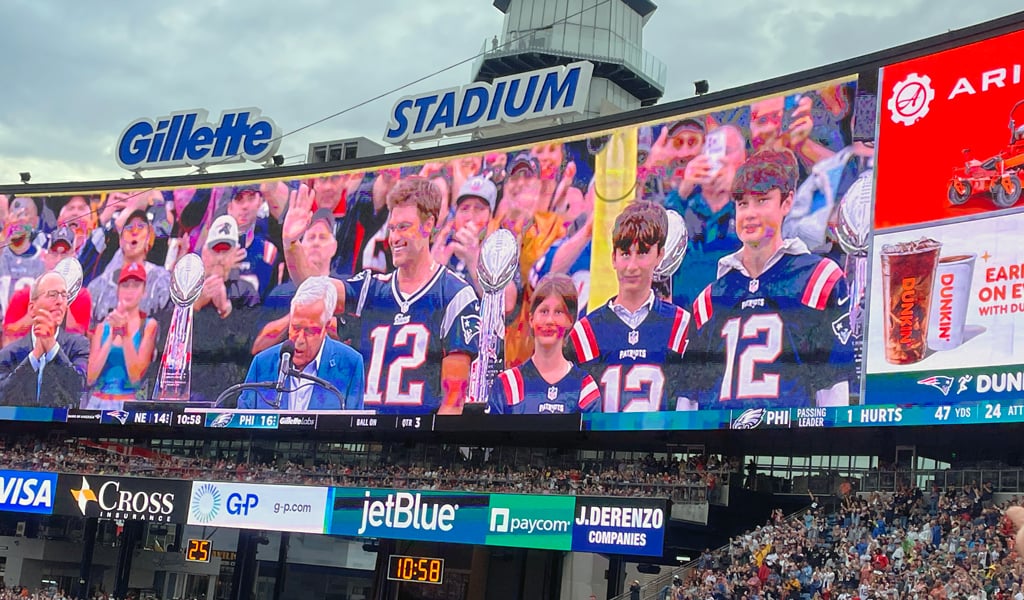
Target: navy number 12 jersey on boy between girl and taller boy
(637, 369)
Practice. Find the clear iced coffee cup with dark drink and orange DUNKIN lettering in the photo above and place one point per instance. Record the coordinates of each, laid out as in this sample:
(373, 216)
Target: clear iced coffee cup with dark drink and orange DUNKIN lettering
(908, 274)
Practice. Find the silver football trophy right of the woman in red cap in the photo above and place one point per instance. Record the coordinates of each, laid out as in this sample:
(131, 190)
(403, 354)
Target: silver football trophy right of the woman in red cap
(176, 366)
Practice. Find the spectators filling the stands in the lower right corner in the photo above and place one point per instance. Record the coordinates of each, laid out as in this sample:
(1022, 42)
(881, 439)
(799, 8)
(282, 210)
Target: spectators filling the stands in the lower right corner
(915, 544)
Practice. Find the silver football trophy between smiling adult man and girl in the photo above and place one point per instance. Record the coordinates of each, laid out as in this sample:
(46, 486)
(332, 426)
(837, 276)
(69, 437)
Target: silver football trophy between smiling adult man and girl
(499, 263)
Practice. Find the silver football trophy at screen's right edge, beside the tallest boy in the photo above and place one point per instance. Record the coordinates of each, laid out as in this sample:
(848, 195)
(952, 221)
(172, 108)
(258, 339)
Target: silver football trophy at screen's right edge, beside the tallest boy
(854, 229)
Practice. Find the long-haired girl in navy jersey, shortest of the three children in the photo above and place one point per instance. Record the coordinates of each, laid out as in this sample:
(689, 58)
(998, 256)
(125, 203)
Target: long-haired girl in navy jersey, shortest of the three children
(547, 382)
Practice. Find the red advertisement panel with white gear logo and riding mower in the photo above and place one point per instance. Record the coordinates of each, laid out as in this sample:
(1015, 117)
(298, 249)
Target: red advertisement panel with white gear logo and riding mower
(952, 135)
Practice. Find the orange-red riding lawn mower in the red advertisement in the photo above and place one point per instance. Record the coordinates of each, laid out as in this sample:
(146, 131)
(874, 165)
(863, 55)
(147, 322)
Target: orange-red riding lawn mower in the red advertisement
(999, 176)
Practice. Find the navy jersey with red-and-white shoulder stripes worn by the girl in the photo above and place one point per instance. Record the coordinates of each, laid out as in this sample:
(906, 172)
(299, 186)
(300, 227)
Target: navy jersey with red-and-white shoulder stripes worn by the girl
(522, 391)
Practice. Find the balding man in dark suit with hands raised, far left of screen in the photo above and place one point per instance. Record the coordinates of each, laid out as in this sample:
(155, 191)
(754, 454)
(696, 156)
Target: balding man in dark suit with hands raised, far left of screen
(48, 367)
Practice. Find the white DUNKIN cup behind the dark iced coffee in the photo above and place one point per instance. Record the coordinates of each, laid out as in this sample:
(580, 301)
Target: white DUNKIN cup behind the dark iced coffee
(951, 295)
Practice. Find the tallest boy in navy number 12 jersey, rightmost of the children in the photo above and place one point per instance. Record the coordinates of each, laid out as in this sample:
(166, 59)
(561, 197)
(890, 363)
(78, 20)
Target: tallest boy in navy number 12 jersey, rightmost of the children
(776, 323)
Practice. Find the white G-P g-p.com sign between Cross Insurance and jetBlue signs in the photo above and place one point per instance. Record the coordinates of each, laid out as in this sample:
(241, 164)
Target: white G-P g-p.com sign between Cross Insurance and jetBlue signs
(253, 506)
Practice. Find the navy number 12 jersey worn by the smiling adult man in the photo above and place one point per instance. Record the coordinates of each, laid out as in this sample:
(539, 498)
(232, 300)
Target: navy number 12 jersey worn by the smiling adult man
(405, 338)
